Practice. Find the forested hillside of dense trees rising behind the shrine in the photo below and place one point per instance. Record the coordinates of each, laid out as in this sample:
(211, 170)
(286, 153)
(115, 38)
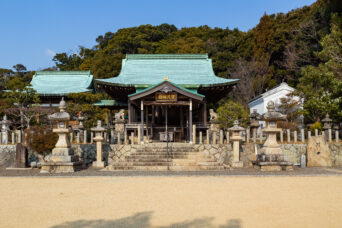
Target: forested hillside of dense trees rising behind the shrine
(302, 47)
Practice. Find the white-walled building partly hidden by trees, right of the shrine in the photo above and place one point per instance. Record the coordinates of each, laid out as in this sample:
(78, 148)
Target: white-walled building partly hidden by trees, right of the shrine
(259, 103)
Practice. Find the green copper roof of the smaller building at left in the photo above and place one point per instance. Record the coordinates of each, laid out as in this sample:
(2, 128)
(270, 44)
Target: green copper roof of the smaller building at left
(59, 83)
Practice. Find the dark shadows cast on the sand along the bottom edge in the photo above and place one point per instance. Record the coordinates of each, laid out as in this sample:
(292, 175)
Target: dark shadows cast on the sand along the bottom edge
(142, 220)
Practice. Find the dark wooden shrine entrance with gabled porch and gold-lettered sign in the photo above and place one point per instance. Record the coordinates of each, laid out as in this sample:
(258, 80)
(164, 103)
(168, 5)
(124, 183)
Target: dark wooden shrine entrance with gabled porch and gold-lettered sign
(166, 107)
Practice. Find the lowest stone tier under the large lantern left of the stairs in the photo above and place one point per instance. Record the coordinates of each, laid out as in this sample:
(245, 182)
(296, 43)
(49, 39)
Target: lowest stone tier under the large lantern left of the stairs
(60, 167)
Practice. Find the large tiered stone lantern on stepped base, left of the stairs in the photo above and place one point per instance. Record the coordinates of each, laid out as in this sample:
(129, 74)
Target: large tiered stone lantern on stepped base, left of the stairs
(63, 159)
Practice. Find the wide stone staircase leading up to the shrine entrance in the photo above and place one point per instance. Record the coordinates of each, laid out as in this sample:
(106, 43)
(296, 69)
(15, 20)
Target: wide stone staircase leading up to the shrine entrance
(153, 157)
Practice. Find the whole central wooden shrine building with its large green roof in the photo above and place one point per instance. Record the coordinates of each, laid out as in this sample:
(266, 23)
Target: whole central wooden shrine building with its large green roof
(166, 93)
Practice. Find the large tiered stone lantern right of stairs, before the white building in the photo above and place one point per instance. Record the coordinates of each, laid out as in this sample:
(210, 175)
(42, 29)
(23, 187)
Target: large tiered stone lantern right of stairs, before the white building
(271, 157)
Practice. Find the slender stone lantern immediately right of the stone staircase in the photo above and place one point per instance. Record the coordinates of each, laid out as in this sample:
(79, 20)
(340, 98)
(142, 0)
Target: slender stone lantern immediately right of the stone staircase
(236, 137)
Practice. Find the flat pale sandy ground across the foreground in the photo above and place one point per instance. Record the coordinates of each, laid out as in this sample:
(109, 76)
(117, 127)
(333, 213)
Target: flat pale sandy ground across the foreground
(171, 201)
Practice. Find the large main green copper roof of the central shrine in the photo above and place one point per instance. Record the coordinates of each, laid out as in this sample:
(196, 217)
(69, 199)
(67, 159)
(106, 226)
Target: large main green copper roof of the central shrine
(187, 70)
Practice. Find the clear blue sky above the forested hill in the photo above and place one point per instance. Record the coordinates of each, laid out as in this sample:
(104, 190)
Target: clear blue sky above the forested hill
(32, 31)
